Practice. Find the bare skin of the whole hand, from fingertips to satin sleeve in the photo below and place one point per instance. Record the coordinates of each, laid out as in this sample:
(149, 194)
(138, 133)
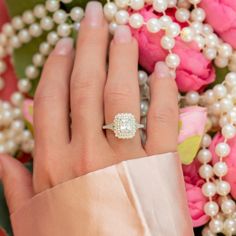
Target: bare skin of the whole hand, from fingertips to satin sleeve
(78, 81)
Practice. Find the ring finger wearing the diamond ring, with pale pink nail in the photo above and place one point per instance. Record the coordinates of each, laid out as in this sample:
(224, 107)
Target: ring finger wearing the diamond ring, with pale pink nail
(122, 89)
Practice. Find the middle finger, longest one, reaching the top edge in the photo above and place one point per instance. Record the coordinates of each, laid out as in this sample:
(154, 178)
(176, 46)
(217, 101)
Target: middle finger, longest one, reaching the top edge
(89, 74)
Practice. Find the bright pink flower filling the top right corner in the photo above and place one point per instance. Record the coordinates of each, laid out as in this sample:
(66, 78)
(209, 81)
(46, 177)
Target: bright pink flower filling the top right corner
(221, 15)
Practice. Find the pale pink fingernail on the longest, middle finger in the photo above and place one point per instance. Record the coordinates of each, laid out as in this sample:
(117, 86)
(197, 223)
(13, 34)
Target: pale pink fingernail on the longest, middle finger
(94, 14)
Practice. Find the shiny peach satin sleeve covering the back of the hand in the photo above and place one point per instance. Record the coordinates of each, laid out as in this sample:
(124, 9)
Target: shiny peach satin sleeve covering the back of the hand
(139, 197)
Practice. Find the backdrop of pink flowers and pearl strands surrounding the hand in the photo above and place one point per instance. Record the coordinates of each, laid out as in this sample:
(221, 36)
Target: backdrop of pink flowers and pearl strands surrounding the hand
(197, 41)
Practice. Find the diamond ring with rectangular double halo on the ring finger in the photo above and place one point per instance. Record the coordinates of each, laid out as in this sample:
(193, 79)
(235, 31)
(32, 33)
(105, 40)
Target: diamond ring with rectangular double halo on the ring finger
(124, 126)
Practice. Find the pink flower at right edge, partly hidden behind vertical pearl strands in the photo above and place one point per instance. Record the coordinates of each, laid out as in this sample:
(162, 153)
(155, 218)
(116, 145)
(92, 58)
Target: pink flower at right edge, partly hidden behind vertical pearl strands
(230, 160)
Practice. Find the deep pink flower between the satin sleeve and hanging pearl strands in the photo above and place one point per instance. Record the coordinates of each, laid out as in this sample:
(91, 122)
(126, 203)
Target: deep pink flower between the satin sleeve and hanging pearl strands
(196, 199)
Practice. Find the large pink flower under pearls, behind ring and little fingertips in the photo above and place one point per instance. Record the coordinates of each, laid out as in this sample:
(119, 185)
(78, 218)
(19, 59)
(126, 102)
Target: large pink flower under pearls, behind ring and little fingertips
(194, 72)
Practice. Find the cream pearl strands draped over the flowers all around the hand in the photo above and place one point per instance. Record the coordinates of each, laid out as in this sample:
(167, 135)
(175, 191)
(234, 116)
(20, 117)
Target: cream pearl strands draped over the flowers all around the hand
(219, 100)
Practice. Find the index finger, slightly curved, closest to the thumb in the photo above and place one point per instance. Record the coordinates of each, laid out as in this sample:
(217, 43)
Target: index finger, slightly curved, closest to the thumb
(51, 104)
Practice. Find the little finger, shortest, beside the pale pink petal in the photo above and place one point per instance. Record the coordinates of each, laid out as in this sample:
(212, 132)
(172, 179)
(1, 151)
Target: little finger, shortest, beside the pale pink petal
(162, 119)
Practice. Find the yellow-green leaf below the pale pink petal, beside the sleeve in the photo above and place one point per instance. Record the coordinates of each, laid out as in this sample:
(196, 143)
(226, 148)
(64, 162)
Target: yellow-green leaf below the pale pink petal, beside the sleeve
(188, 149)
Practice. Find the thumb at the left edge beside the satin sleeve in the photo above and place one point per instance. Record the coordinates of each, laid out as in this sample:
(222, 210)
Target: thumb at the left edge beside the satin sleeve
(17, 182)
